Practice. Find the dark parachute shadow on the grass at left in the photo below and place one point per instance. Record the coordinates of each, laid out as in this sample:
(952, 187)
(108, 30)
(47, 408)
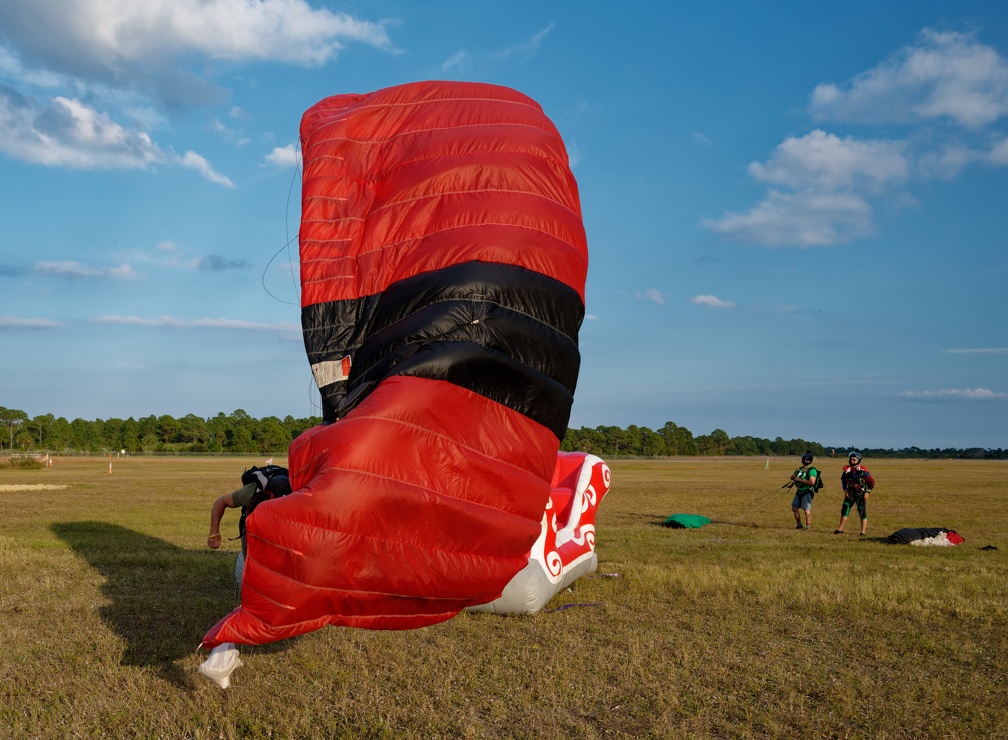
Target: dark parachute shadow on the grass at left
(163, 598)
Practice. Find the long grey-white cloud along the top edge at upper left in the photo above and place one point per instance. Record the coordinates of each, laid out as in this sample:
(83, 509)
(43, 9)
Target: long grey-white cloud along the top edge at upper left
(110, 39)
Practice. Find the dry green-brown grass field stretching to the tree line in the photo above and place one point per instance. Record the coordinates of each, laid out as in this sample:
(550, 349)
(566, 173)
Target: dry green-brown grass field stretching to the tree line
(744, 629)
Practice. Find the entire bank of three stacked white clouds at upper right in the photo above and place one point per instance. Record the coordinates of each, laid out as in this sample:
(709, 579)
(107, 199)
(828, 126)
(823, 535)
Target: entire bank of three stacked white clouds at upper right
(824, 187)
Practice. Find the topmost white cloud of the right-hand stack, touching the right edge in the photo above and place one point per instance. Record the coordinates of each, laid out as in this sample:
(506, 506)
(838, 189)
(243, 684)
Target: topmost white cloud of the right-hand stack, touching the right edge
(944, 76)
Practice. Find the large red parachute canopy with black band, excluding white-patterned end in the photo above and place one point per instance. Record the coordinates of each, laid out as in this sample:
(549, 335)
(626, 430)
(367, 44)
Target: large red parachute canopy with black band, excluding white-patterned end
(443, 274)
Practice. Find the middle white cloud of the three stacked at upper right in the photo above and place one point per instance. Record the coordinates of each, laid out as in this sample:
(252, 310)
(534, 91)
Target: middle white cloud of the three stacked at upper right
(825, 162)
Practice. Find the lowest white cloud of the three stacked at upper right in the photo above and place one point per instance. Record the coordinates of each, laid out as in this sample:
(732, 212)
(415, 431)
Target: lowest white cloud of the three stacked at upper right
(806, 219)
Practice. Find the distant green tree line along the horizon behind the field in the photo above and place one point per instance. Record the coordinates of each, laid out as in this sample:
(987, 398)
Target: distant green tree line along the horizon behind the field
(238, 433)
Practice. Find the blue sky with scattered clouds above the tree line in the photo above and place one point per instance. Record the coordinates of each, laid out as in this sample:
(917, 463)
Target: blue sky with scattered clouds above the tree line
(797, 214)
